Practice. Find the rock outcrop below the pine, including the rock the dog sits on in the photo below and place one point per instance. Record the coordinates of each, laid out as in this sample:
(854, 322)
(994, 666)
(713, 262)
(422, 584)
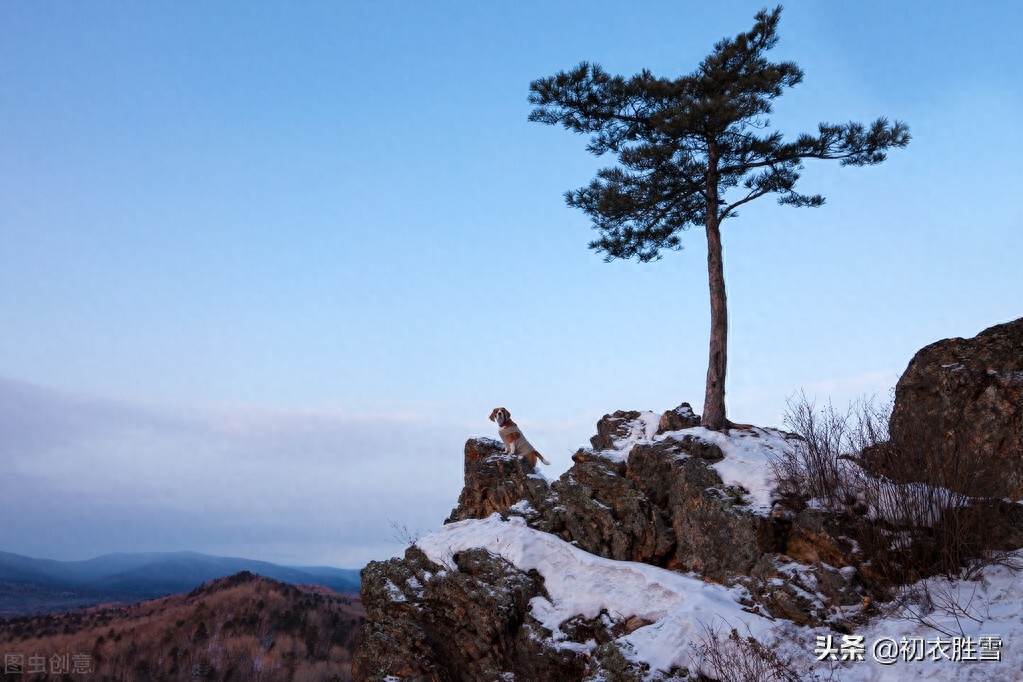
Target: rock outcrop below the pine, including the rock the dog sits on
(666, 506)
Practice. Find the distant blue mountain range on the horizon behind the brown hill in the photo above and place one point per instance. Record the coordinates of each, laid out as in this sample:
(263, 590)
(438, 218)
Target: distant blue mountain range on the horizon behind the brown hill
(45, 586)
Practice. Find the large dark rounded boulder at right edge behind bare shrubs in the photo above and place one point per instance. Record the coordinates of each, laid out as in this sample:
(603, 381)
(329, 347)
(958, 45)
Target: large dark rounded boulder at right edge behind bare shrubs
(961, 400)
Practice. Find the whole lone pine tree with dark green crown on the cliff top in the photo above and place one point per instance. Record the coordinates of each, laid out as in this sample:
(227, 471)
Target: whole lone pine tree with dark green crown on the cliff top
(691, 152)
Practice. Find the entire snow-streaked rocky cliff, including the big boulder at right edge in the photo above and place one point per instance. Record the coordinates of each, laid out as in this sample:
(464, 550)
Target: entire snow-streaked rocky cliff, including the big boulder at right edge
(664, 534)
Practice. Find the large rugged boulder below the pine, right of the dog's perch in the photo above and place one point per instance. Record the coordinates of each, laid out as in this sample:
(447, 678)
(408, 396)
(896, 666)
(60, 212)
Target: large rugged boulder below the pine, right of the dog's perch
(662, 505)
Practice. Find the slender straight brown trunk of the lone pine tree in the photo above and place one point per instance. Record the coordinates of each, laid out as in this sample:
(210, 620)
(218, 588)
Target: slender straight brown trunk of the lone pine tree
(714, 413)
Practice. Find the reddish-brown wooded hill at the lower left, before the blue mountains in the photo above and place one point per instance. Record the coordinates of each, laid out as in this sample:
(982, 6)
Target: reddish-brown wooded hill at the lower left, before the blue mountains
(239, 628)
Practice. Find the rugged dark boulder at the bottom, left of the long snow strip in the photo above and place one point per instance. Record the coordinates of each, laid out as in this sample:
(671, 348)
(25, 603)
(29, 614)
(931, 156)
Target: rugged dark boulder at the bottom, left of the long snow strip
(425, 623)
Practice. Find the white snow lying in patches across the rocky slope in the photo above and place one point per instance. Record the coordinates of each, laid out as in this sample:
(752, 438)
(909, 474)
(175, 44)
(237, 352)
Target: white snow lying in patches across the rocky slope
(982, 641)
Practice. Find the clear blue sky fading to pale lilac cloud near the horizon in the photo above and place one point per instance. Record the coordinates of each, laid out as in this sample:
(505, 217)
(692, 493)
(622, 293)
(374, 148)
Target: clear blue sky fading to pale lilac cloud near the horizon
(265, 266)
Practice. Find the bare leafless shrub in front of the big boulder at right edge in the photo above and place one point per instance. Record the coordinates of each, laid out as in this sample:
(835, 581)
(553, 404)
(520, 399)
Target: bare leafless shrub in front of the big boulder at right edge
(913, 515)
